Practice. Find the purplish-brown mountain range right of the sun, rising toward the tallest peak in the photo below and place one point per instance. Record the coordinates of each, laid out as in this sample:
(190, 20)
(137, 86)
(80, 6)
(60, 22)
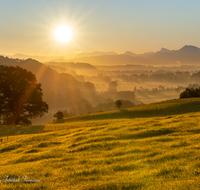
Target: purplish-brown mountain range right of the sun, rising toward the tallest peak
(186, 55)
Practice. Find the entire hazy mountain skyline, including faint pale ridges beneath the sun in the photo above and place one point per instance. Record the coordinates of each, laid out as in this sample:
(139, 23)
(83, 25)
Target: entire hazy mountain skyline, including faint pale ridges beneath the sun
(188, 54)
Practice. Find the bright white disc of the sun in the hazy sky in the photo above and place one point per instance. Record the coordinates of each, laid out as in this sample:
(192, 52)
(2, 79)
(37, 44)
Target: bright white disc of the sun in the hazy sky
(63, 33)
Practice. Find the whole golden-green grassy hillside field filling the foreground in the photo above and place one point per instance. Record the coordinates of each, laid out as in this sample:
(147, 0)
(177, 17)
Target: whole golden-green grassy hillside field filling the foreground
(155, 146)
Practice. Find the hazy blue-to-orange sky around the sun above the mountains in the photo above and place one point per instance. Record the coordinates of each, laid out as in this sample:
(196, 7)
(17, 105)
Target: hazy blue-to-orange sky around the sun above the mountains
(107, 25)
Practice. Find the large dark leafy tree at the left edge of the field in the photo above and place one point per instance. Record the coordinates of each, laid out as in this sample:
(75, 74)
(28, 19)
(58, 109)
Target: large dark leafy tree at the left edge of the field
(20, 96)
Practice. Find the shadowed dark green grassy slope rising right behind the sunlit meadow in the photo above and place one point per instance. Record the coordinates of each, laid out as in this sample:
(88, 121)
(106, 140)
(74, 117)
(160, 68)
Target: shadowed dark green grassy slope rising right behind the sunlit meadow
(165, 108)
